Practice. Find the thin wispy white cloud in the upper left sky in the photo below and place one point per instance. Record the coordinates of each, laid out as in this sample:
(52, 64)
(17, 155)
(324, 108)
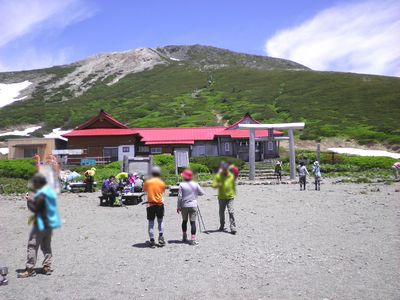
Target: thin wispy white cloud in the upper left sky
(22, 21)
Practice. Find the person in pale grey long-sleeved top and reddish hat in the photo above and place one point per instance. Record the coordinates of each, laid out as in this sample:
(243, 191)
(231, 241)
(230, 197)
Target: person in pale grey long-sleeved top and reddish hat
(187, 204)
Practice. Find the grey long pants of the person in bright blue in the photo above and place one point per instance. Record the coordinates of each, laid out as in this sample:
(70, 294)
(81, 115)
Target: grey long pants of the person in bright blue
(43, 239)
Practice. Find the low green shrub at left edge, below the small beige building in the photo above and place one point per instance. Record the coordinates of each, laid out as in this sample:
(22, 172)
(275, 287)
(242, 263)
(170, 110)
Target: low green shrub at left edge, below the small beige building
(17, 168)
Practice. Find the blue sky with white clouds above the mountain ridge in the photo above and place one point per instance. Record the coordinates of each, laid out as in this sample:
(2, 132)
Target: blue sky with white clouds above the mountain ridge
(356, 36)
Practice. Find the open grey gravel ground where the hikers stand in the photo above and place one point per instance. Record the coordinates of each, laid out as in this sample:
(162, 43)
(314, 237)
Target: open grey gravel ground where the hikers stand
(340, 243)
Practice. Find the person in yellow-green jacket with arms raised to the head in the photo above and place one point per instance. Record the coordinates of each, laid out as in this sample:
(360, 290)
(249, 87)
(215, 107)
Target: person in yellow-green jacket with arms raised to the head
(225, 183)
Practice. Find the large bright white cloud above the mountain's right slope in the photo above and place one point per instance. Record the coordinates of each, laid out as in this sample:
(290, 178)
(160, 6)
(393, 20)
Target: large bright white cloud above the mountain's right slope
(359, 37)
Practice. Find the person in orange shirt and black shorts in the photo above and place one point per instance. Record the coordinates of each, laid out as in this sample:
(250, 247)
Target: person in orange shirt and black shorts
(155, 188)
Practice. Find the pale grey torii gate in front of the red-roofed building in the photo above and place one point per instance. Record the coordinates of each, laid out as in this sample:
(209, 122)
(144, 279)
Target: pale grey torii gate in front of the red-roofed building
(252, 143)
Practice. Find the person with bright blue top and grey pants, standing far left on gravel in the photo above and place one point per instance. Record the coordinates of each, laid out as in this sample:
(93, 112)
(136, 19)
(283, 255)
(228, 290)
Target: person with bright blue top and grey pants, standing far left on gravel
(45, 219)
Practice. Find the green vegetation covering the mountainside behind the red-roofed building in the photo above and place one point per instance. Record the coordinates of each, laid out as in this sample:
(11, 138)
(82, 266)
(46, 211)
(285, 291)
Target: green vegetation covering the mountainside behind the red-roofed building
(208, 86)
